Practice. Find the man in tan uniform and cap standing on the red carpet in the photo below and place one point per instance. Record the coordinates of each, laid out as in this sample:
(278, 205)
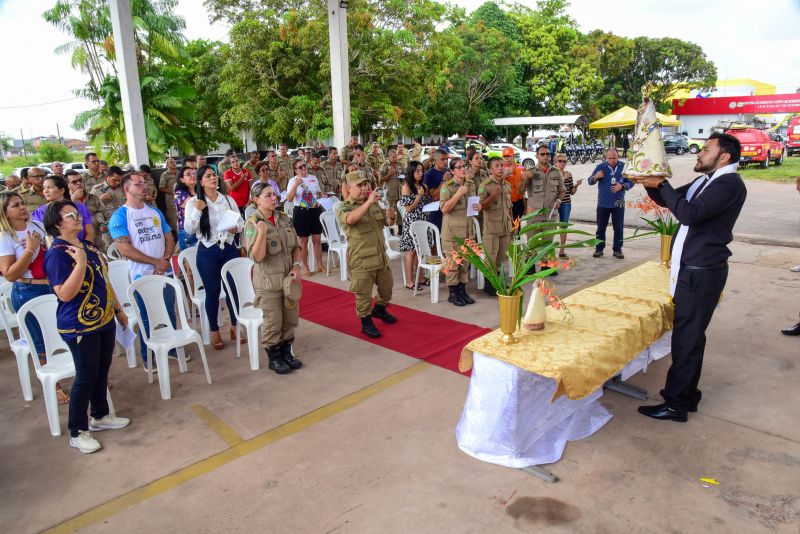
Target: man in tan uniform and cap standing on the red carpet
(362, 220)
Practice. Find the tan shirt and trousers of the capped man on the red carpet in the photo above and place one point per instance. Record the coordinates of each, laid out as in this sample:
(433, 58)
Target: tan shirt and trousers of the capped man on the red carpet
(366, 248)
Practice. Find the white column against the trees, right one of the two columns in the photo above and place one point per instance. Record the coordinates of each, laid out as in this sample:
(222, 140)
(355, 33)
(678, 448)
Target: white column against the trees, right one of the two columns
(340, 71)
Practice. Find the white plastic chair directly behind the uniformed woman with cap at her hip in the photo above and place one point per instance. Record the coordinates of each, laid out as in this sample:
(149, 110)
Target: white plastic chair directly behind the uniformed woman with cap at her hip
(247, 315)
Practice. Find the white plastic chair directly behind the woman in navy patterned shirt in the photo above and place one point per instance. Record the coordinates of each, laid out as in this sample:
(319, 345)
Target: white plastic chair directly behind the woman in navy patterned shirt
(60, 364)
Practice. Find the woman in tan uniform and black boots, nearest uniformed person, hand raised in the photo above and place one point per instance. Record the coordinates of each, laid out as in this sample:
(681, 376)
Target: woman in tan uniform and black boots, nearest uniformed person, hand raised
(272, 244)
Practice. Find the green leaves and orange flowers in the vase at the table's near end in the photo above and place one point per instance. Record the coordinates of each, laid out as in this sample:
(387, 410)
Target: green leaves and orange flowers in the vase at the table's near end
(540, 248)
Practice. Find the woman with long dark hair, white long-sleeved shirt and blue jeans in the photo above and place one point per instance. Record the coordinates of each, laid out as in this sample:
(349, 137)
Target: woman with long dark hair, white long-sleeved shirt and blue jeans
(215, 219)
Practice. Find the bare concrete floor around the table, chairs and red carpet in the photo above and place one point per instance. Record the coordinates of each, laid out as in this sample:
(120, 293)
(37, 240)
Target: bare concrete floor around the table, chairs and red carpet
(362, 438)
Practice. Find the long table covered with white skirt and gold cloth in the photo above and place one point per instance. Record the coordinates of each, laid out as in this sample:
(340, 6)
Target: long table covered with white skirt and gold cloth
(526, 400)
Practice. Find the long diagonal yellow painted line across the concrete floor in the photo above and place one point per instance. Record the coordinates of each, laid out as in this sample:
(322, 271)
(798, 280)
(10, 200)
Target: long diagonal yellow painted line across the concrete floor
(173, 480)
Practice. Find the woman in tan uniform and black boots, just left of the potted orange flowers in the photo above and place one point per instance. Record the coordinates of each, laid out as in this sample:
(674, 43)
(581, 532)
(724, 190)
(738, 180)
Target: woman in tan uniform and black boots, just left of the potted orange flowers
(453, 197)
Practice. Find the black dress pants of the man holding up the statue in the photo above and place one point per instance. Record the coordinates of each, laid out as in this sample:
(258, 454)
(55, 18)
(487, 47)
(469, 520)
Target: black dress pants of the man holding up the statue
(696, 296)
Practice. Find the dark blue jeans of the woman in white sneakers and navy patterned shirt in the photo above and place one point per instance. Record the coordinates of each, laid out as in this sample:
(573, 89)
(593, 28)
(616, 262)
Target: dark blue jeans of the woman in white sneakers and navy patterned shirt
(92, 357)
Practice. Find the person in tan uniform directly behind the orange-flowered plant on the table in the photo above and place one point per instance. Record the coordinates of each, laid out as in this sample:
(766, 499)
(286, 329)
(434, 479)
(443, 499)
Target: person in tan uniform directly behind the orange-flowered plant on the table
(495, 196)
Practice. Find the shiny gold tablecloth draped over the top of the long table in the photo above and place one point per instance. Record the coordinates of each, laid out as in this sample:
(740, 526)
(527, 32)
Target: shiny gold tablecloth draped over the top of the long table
(615, 320)
